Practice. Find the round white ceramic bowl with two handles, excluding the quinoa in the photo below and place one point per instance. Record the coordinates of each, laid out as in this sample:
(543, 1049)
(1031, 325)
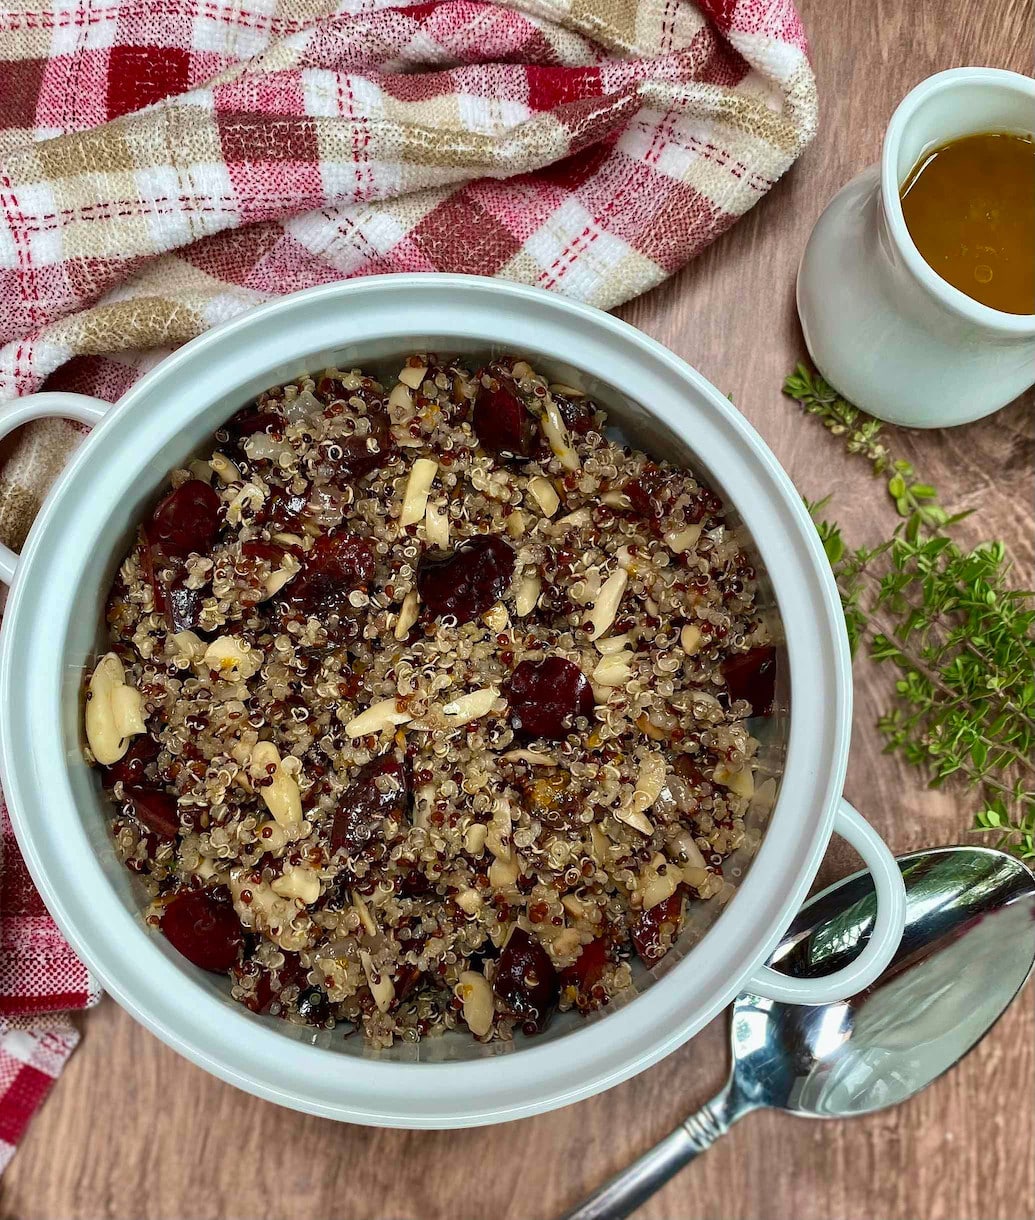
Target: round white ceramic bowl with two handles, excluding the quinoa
(53, 626)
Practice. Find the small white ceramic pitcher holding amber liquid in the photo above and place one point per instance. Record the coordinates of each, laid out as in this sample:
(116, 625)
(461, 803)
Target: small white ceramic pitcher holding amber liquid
(881, 325)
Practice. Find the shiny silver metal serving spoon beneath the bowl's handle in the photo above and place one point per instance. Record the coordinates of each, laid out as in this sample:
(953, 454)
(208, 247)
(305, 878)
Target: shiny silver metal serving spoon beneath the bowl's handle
(968, 949)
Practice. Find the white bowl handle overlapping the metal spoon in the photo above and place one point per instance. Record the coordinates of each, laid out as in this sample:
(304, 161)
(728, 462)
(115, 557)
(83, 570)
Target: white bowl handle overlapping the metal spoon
(883, 942)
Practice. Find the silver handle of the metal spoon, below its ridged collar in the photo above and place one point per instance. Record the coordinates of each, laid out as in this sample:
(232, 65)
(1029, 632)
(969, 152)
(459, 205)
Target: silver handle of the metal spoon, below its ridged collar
(632, 1189)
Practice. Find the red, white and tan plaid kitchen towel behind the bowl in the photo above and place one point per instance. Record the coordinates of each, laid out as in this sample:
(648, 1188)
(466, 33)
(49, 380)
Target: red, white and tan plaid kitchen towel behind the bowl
(168, 164)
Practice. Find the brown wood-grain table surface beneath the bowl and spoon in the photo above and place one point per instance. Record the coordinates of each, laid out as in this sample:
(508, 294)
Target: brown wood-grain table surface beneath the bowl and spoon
(134, 1132)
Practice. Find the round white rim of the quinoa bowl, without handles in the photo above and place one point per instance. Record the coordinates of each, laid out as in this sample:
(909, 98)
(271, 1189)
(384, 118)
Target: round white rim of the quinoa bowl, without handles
(211, 1032)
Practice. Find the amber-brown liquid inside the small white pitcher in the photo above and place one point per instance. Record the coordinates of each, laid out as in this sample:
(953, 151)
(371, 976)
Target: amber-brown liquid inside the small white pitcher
(970, 207)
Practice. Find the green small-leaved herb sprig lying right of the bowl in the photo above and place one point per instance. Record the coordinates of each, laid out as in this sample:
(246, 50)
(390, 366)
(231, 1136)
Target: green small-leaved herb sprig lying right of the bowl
(960, 636)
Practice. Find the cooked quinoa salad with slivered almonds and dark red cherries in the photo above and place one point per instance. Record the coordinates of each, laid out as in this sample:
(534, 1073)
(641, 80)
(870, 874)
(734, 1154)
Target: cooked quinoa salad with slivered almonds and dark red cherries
(427, 705)
